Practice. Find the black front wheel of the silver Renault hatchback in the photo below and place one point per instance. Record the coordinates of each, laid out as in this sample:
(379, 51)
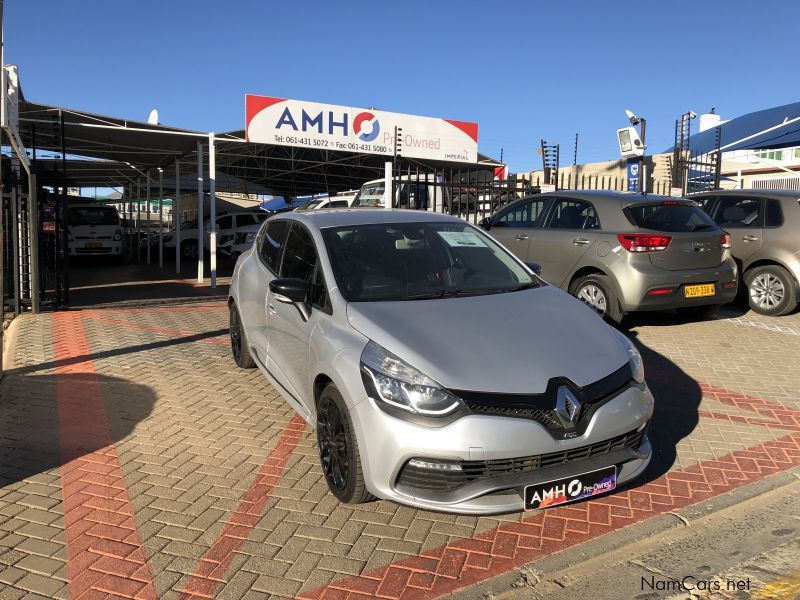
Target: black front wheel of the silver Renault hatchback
(338, 449)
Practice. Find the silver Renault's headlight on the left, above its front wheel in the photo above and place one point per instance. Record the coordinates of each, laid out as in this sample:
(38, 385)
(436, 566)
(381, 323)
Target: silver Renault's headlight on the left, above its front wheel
(396, 383)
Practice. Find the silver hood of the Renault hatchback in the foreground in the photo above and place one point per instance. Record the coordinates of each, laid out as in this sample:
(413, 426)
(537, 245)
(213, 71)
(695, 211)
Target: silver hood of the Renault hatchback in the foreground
(503, 343)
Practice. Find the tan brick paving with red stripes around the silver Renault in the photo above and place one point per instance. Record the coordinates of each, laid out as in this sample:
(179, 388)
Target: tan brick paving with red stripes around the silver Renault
(137, 461)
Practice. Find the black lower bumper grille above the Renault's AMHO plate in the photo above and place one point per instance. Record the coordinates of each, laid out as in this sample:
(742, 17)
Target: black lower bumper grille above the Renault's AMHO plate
(471, 470)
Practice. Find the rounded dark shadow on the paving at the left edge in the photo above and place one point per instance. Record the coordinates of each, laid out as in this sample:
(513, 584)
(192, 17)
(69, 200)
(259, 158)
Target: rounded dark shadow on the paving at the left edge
(43, 424)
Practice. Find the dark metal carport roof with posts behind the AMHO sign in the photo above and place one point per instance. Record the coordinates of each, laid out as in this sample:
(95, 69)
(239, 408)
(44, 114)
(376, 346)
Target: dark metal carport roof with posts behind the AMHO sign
(90, 150)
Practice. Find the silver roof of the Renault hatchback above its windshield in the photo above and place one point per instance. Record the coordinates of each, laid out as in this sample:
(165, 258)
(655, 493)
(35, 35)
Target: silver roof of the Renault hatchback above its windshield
(339, 217)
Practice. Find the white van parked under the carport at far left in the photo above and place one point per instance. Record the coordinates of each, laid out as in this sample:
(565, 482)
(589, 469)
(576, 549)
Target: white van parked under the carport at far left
(94, 230)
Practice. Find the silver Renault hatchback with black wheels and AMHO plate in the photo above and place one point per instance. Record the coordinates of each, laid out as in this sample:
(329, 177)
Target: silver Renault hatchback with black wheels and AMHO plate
(438, 369)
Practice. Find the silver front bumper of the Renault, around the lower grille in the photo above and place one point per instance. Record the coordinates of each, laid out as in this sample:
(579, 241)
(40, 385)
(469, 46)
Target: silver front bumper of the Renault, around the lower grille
(387, 444)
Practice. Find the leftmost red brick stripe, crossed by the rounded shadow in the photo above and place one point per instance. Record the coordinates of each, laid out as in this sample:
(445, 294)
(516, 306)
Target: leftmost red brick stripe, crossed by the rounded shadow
(104, 551)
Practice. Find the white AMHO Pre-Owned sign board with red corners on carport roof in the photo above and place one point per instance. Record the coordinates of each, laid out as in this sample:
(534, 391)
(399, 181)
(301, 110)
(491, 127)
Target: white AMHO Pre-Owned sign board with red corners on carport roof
(343, 128)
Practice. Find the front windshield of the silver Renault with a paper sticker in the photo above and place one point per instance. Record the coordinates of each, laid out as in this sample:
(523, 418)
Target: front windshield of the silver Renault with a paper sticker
(418, 261)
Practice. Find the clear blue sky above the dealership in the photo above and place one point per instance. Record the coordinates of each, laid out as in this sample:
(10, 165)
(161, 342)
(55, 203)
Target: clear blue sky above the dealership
(522, 70)
